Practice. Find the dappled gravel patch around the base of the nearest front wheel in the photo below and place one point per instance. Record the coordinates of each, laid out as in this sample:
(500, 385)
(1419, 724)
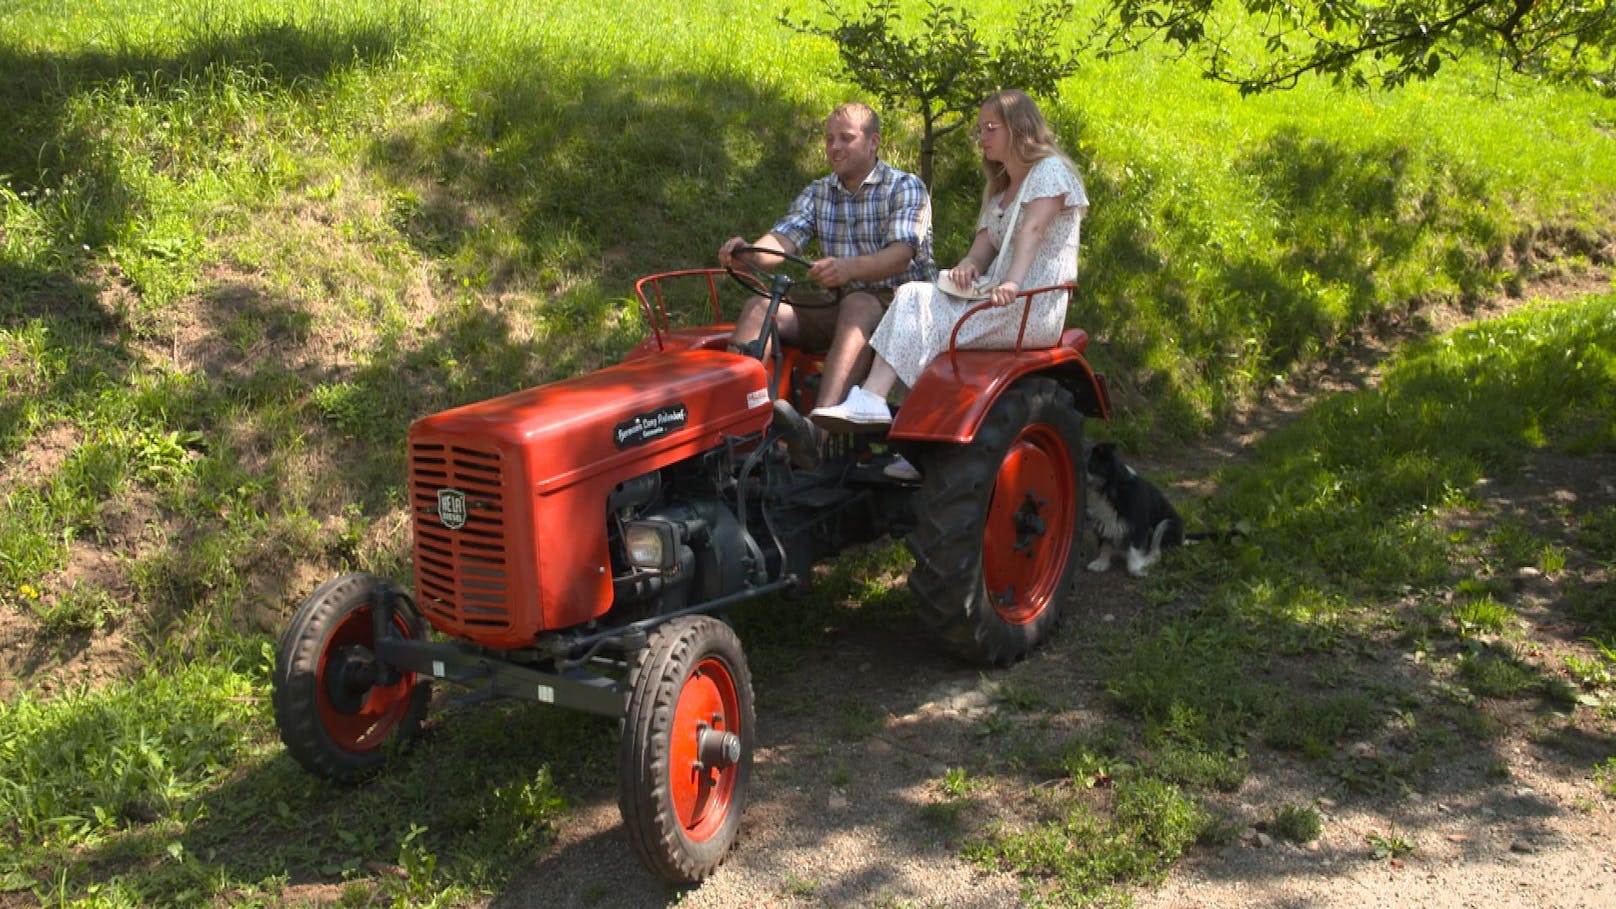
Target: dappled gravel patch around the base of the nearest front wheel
(833, 821)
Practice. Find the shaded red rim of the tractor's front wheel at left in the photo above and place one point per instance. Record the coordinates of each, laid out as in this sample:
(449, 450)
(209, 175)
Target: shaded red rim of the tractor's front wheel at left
(360, 719)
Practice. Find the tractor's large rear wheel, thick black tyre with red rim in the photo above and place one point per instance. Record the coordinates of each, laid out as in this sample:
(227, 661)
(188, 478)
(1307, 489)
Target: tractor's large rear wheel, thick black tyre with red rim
(999, 530)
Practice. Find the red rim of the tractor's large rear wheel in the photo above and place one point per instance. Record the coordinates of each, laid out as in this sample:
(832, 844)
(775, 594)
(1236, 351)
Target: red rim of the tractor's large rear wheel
(1030, 525)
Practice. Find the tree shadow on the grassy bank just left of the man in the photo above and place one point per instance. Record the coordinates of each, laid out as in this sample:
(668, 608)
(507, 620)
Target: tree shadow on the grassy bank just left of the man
(602, 179)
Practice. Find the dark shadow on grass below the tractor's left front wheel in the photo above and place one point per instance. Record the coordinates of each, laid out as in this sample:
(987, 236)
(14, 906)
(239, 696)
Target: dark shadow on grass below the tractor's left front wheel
(466, 806)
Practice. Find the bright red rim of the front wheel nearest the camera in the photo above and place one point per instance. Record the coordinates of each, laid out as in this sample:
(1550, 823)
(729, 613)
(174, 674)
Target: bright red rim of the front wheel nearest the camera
(702, 795)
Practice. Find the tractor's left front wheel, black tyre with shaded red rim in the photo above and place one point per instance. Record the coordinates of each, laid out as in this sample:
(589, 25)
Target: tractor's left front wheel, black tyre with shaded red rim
(334, 716)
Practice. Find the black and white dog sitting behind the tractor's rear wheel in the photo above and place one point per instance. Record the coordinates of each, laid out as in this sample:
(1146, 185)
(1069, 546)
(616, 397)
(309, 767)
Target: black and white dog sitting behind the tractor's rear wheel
(1129, 514)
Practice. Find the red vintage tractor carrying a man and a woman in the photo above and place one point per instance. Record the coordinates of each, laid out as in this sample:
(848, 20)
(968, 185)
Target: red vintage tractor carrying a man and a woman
(578, 544)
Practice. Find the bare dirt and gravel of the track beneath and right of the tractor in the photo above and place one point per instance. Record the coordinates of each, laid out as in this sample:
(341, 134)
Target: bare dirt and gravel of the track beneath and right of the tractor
(843, 821)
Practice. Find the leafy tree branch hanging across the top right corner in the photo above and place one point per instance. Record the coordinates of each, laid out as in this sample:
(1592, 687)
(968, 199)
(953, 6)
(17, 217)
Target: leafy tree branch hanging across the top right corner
(1374, 41)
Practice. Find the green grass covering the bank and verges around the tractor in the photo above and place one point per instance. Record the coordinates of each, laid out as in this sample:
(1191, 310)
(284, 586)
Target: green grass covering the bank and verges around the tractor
(243, 245)
